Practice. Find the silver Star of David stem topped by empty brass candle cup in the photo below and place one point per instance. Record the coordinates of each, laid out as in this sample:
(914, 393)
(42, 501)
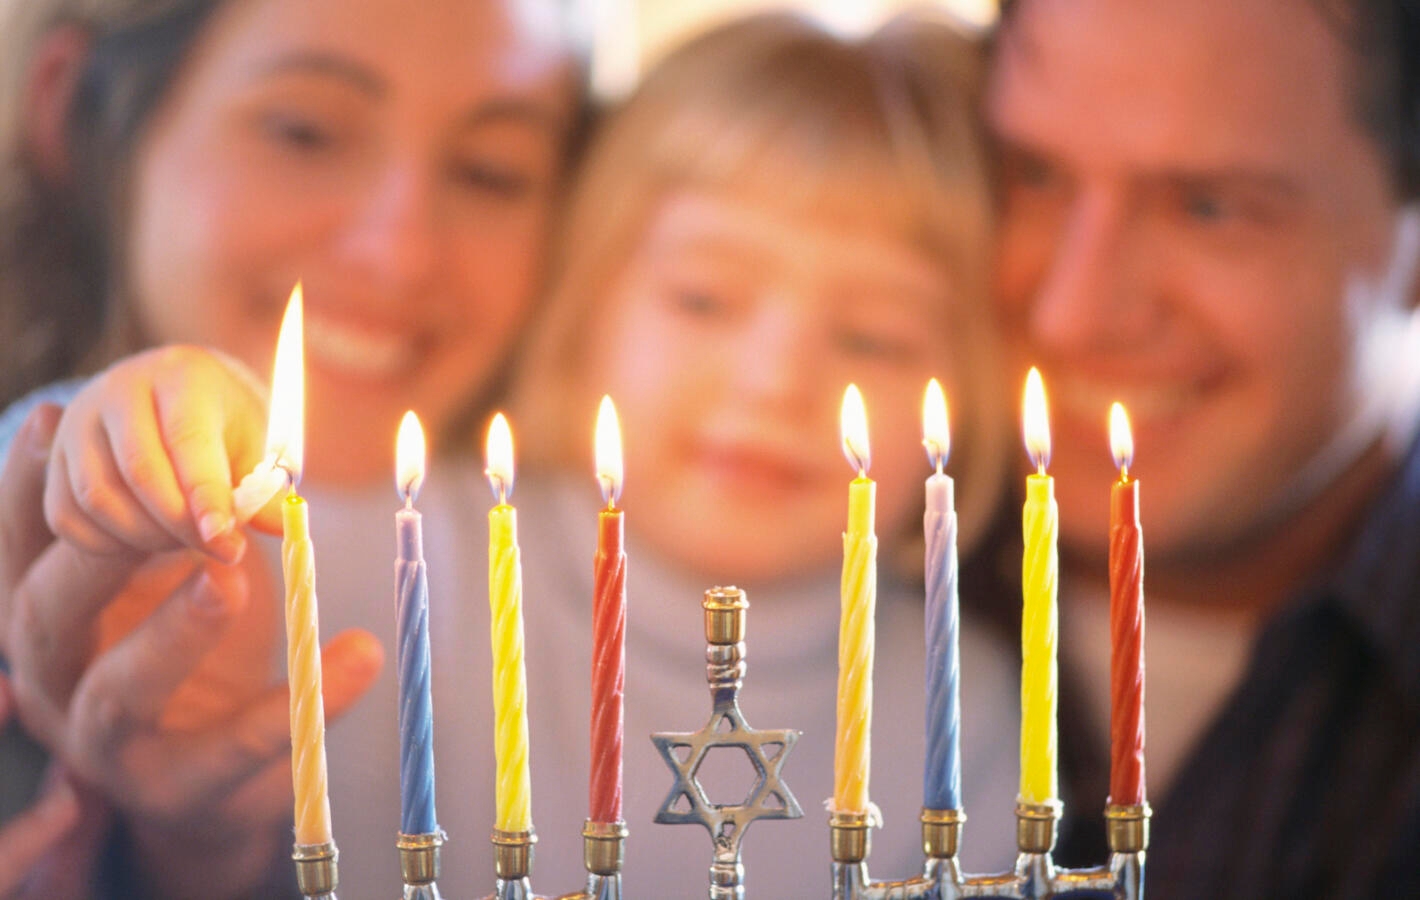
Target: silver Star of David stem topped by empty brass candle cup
(770, 797)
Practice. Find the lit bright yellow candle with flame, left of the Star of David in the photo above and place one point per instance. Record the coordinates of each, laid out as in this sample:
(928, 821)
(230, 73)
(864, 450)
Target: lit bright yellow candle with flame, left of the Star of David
(510, 691)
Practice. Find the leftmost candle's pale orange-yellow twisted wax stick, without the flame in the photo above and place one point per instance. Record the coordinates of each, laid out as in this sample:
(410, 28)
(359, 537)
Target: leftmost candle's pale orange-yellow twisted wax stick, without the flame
(313, 806)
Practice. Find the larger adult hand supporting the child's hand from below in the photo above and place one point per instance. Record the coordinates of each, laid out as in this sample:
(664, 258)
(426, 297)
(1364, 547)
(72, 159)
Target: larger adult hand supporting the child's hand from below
(148, 675)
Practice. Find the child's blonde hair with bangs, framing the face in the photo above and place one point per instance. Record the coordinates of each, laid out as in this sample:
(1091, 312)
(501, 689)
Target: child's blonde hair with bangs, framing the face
(777, 110)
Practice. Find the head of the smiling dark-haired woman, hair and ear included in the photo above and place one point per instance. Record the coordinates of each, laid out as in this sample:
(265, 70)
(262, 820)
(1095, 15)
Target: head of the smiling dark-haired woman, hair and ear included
(403, 167)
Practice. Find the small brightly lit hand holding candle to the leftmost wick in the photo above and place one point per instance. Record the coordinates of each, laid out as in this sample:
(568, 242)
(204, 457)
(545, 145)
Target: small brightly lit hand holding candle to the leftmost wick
(147, 454)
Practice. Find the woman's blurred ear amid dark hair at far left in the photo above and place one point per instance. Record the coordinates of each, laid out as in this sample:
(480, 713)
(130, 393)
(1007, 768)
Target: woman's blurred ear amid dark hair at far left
(52, 79)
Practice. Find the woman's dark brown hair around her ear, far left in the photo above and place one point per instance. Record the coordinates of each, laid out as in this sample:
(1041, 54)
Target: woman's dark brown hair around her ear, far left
(56, 262)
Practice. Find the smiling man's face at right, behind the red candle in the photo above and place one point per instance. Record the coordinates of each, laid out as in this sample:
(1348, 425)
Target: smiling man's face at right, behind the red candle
(1195, 225)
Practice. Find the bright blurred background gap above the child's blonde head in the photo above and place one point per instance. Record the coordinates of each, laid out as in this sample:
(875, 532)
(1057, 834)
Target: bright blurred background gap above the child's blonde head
(628, 35)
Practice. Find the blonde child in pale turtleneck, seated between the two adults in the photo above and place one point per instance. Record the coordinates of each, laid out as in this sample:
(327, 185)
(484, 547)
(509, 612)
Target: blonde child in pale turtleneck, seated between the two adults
(773, 215)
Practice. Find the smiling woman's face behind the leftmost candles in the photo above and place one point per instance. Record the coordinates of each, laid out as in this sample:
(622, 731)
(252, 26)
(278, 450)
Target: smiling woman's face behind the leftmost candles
(401, 160)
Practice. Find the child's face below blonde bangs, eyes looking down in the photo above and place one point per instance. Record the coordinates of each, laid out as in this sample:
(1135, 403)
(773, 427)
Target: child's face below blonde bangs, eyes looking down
(728, 344)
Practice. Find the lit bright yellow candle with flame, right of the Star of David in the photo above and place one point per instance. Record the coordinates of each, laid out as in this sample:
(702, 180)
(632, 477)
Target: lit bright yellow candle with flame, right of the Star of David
(1039, 620)
